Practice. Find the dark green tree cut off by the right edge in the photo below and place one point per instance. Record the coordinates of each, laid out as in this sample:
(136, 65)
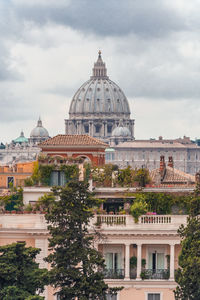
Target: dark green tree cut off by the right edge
(188, 275)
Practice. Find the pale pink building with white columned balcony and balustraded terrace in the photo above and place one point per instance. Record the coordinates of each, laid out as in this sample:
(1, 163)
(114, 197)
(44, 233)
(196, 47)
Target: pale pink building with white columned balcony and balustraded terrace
(153, 241)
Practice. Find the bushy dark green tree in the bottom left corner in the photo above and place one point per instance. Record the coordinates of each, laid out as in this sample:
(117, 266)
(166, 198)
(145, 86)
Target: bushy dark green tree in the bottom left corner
(20, 276)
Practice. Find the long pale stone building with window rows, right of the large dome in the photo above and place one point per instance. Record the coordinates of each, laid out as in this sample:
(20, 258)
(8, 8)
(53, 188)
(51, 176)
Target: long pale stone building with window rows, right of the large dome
(147, 153)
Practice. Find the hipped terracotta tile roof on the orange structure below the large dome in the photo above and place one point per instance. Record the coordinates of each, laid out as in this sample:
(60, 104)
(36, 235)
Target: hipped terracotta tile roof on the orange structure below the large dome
(73, 140)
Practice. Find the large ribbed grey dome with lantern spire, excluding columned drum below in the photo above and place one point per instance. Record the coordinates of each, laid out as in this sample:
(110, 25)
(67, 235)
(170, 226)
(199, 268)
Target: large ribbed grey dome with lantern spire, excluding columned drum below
(99, 95)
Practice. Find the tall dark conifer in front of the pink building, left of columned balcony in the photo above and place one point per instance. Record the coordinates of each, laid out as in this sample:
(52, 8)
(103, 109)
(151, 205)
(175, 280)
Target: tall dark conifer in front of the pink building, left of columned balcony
(76, 267)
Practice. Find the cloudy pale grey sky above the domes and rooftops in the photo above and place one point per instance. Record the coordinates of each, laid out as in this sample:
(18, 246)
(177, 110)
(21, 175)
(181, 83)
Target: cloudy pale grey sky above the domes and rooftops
(151, 50)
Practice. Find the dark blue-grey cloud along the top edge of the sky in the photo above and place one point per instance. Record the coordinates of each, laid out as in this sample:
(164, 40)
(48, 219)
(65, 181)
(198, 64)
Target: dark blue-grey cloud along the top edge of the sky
(107, 18)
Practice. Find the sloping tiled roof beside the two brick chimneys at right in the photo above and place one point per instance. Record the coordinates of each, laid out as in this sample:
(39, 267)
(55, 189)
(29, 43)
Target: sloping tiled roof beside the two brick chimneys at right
(172, 176)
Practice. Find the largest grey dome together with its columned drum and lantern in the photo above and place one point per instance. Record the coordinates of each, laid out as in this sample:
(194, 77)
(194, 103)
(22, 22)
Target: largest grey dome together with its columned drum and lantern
(99, 106)
